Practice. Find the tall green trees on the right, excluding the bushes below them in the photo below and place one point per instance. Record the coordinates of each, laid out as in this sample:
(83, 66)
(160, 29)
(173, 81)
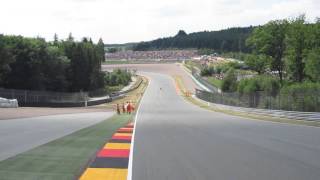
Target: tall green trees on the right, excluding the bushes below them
(289, 48)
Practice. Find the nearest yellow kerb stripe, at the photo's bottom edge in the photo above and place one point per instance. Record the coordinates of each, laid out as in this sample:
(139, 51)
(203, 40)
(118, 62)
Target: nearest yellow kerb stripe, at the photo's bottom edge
(104, 174)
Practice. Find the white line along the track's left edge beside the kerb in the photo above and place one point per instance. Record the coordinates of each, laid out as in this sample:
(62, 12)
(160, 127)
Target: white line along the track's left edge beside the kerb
(129, 176)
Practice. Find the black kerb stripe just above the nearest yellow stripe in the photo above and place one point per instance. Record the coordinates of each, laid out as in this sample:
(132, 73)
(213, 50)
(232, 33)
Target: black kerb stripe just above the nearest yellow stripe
(100, 162)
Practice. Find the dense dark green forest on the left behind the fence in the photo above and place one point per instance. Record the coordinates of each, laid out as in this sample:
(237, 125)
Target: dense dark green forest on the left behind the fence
(66, 66)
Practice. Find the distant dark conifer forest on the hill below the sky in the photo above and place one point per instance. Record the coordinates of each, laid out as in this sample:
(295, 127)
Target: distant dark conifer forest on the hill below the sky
(229, 40)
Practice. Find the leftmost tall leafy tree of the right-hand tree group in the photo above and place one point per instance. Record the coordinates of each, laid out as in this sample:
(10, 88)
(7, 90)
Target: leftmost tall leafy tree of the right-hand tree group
(270, 40)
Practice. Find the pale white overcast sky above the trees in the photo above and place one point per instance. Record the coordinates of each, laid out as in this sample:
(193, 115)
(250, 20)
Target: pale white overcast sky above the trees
(121, 21)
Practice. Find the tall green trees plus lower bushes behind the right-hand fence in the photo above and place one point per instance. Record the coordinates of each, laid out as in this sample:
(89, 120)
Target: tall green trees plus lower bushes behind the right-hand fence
(286, 57)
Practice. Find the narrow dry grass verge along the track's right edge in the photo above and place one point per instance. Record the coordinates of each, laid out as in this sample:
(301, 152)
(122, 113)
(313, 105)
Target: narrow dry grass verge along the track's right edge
(204, 105)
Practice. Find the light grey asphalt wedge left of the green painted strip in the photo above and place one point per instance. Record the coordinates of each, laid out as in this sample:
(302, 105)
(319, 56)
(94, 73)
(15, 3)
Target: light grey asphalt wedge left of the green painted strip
(20, 135)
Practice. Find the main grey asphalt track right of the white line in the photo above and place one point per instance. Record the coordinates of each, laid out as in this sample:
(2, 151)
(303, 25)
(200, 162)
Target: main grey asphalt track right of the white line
(177, 140)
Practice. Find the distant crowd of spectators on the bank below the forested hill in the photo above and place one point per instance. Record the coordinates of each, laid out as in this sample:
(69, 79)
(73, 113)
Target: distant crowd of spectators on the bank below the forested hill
(152, 55)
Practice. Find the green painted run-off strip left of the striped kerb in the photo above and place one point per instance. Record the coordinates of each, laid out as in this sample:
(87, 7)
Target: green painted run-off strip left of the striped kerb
(64, 158)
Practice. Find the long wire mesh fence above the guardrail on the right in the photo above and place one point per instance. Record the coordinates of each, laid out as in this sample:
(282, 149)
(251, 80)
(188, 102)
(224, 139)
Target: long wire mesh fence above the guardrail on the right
(304, 102)
